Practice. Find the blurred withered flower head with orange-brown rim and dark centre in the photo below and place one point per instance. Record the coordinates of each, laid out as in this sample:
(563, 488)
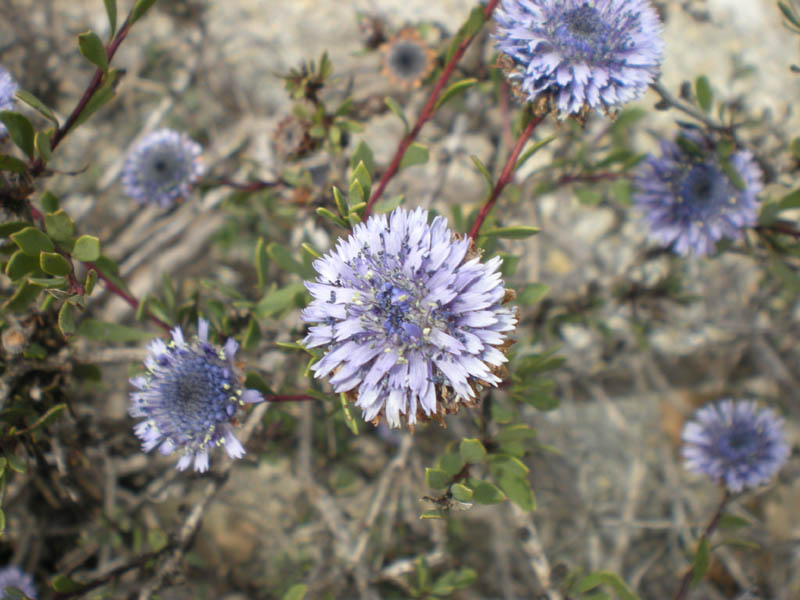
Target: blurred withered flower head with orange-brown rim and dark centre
(407, 58)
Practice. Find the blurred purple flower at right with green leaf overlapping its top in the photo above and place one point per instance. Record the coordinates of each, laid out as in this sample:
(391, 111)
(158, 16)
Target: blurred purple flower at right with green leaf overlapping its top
(688, 199)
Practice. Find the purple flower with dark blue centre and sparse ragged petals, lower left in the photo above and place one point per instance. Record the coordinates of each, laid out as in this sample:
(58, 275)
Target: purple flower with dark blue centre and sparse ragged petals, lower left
(188, 398)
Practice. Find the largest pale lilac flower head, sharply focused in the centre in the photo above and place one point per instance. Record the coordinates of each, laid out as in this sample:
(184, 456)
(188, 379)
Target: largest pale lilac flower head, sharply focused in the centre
(413, 323)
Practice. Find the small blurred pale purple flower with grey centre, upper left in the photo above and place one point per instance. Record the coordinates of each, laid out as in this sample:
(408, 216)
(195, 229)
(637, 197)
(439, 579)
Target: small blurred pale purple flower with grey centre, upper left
(162, 168)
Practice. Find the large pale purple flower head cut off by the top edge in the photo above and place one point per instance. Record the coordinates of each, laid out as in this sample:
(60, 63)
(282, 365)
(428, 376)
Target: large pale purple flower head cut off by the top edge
(580, 54)
